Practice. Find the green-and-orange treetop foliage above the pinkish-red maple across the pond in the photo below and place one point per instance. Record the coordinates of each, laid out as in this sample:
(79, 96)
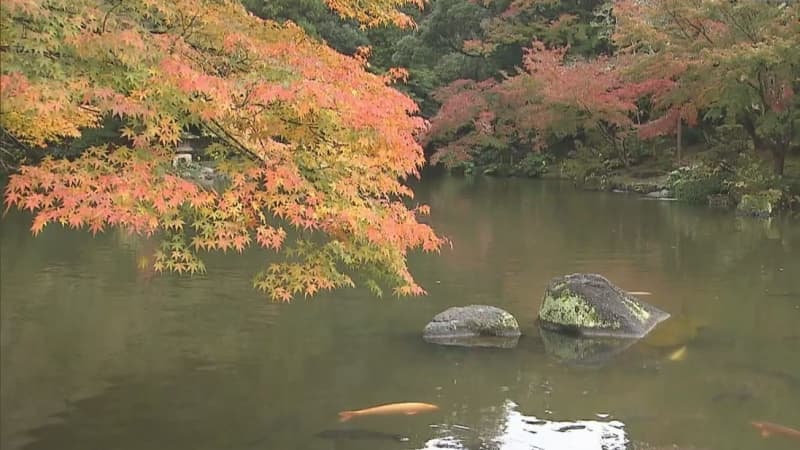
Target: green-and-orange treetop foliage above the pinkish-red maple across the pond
(479, 39)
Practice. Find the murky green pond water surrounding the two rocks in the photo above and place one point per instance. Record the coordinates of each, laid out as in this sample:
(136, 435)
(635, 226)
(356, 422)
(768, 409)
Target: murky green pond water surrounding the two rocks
(99, 354)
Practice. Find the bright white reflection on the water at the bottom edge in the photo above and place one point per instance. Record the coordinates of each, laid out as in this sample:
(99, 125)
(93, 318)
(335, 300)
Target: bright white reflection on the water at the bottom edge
(520, 432)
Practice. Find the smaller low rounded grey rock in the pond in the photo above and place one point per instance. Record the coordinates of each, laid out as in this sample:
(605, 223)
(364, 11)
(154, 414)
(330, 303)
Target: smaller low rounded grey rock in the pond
(473, 326)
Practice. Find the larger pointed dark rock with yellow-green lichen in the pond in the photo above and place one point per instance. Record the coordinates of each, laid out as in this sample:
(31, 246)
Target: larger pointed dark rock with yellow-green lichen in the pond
(590, 305)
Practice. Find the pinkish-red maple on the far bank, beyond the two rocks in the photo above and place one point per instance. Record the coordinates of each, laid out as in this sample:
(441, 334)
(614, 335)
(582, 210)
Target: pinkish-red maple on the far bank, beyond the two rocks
(551, 96)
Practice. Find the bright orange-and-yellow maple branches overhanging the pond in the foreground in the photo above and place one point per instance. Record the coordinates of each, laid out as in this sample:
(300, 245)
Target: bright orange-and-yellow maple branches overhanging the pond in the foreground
(314, 149)
